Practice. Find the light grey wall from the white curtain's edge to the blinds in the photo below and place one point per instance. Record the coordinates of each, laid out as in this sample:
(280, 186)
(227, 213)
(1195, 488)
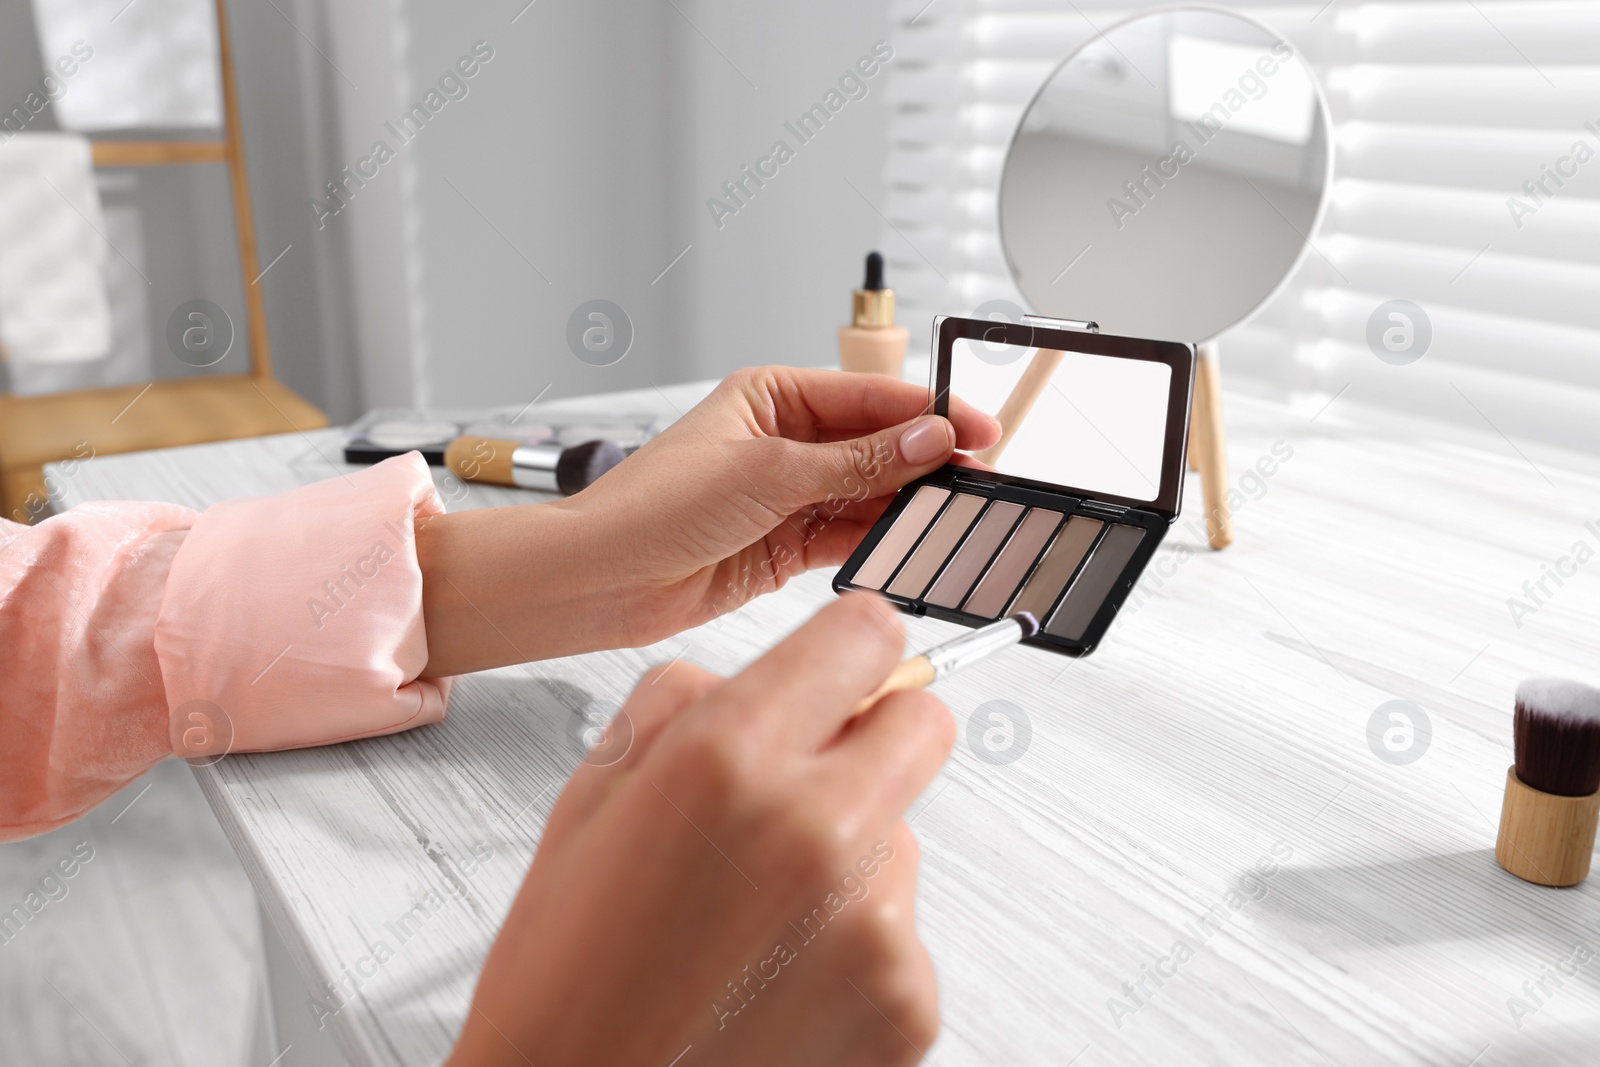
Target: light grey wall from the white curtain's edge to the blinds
(590, 148)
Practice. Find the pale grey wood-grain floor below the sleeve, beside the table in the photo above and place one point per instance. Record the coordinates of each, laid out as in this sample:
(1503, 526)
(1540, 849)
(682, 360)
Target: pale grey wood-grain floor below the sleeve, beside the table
(148, 954)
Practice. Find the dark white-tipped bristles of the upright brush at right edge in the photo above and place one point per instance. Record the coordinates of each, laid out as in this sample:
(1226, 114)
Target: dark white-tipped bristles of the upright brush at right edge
(1559, 737)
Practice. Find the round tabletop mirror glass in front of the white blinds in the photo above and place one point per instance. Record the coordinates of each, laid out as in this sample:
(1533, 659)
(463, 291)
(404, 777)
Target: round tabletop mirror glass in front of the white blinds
(1167, 178)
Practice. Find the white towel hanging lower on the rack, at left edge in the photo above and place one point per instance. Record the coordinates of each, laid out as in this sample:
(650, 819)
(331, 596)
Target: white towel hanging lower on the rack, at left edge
(54, 305)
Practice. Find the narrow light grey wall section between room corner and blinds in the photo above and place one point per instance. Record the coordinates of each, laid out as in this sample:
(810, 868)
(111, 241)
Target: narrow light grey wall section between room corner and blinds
(774, 282)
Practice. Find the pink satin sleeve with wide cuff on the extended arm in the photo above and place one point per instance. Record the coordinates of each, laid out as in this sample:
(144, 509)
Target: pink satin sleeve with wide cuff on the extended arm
(135, 631)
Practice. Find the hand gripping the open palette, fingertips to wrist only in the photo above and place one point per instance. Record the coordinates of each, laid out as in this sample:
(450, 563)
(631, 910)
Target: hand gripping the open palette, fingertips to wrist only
(777, 473)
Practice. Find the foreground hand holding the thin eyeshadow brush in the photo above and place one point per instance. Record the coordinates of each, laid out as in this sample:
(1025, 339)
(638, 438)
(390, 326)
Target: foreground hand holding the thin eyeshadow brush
(738, 889)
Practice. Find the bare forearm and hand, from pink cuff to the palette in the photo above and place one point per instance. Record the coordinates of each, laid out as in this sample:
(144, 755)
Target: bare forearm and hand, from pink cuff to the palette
(777, 473)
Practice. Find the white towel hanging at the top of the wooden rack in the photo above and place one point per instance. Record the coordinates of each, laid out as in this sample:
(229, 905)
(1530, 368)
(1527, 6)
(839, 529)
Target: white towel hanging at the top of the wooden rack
(153, 63)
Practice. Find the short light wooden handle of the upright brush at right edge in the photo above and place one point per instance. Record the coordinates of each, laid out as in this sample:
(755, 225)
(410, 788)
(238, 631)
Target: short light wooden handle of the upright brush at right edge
(1546, 839)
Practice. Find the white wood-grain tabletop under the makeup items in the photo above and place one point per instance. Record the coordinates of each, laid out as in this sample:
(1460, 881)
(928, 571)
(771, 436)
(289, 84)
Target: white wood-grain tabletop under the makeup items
(1223, 725)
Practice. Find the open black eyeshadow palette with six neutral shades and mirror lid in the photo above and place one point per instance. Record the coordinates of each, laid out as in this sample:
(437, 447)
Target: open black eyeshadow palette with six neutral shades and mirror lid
(1063, 516)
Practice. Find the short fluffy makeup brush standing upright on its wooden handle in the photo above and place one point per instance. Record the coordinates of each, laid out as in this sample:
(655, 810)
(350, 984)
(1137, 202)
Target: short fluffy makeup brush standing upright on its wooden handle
(1553, 793)
